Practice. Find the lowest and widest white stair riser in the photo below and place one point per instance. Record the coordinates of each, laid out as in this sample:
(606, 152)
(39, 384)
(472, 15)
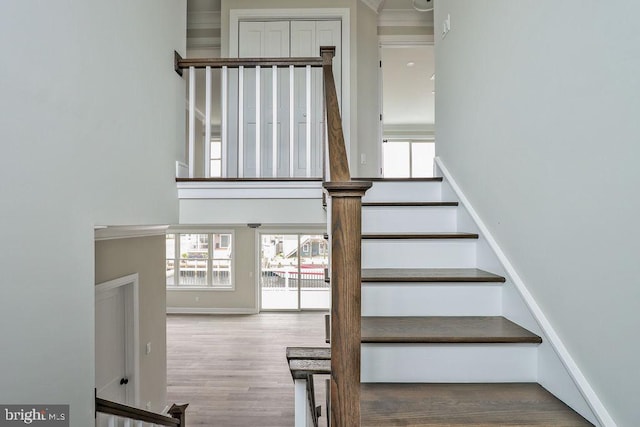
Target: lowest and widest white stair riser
(410, 363)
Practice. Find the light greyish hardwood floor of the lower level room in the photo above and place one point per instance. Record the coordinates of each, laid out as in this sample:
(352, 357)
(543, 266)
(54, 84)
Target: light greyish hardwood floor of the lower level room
(232, 370)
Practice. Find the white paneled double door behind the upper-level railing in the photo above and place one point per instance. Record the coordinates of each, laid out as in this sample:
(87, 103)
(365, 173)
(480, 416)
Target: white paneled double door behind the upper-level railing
(298, 128)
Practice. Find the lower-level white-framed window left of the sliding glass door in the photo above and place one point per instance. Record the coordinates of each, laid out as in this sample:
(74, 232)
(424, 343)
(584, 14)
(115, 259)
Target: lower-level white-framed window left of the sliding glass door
(199, 260)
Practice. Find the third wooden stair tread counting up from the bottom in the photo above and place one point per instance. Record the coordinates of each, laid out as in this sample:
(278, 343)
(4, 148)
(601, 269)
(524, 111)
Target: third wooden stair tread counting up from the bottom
(429, 275)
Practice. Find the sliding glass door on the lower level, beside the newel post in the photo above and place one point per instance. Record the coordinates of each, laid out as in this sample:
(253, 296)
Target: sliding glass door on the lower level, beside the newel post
(292, 270)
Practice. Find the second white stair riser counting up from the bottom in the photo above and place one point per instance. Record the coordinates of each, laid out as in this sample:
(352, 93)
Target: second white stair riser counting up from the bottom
(431, 299)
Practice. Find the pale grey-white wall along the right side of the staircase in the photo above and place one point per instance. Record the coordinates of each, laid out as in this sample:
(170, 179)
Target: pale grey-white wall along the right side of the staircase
(537, 119)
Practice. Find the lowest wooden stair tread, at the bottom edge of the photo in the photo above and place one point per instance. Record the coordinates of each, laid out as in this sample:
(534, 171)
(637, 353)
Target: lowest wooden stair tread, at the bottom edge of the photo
(499, 404)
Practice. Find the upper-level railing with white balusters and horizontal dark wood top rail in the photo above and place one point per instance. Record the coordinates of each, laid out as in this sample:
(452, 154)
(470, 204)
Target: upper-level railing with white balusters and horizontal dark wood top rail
(255, 137)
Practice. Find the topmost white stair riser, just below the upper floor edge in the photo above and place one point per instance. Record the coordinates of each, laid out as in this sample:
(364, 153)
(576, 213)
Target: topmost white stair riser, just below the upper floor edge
(404, 192)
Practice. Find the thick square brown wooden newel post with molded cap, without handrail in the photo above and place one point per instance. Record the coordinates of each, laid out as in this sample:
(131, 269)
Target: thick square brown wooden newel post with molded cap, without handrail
(346, 220)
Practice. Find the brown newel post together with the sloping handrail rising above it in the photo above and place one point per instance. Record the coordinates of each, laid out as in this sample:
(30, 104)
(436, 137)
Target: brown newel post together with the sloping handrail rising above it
(346, 229)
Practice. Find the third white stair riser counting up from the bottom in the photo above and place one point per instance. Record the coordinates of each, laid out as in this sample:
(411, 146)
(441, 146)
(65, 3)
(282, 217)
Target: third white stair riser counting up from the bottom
(436, 253)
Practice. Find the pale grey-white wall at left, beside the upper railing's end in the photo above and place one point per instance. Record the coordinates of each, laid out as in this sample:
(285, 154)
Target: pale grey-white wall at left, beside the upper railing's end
(91, 114)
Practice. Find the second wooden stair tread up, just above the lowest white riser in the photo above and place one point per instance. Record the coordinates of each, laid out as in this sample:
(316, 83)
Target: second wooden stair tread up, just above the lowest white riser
(444, 329)
